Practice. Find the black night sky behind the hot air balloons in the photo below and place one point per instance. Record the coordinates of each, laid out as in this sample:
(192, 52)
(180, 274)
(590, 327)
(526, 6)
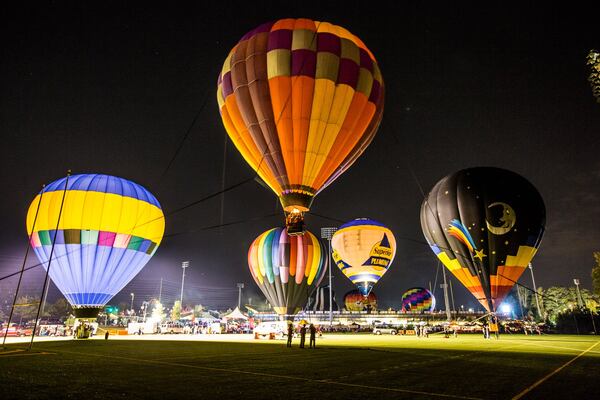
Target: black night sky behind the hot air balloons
(107, 87)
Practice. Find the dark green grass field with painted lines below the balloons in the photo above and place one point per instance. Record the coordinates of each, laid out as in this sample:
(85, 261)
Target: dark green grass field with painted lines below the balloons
(342, 367)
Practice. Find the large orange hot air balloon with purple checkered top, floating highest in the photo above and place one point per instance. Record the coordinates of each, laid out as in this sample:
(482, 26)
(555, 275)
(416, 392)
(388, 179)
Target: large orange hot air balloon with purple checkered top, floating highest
(301, 100)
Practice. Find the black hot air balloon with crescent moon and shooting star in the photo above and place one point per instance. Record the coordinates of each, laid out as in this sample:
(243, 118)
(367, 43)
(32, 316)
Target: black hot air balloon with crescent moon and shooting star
(485, 225)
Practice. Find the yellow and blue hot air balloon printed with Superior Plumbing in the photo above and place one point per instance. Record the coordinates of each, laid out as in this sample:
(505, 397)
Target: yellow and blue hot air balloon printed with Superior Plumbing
(363, 250)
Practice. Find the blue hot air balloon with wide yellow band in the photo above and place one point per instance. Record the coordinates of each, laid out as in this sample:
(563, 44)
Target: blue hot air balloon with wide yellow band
(109, 229)
